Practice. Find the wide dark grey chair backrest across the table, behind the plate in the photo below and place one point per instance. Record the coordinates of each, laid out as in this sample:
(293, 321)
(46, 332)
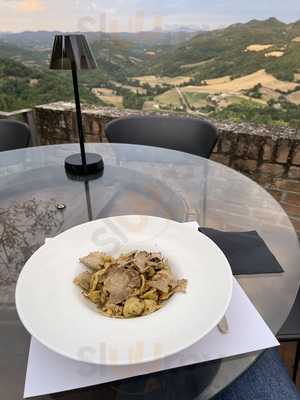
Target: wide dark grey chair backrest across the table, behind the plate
(191, 135)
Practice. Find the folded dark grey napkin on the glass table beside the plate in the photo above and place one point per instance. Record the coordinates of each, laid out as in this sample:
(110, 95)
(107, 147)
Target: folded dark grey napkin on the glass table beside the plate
(246, 252)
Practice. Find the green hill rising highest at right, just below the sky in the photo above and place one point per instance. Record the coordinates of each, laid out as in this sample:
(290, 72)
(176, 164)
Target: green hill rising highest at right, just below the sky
(224, 51)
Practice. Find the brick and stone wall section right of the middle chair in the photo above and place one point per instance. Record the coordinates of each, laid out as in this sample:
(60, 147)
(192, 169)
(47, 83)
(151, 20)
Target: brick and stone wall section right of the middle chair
(268, 155)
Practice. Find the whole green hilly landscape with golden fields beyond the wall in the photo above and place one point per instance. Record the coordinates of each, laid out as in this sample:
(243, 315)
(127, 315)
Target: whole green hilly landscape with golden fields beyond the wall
(232, 52)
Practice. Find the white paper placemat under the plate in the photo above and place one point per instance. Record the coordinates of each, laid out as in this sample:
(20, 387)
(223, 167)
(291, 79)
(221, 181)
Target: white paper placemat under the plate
(49, 372)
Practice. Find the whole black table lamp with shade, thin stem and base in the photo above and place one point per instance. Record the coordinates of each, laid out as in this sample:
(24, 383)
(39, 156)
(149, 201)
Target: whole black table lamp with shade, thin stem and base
(72, 52)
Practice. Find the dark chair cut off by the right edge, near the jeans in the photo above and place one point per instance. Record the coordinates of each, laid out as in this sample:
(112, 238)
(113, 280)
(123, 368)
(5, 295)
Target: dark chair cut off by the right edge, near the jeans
(290, 332)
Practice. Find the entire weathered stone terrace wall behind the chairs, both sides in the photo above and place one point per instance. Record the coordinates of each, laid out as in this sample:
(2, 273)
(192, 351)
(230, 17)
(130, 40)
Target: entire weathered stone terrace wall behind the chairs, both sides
(269, 155)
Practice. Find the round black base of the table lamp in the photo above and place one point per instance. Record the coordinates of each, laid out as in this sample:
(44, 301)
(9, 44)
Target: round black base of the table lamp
(74, 166)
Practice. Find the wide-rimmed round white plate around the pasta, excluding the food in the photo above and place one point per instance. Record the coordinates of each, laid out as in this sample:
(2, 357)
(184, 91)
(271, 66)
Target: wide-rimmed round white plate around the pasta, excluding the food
(53, 310)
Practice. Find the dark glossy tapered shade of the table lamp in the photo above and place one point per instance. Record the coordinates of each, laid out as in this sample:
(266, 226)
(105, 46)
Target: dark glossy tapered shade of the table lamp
(72, 52)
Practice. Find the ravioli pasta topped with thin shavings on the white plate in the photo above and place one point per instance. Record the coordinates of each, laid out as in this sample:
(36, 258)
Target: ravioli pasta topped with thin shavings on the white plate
(134, 284)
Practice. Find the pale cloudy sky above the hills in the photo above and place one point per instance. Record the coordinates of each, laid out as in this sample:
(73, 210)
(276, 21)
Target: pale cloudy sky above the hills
(136, 15)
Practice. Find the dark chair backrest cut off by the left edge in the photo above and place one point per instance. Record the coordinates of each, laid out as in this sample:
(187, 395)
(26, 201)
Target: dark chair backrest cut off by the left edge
(13, 135)
